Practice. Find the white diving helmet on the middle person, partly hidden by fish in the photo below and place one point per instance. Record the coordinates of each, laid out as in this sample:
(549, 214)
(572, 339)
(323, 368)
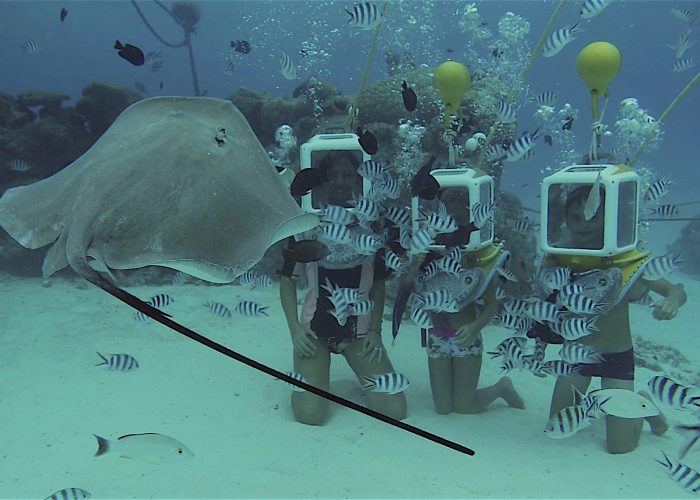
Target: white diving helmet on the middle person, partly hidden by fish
(470, 189)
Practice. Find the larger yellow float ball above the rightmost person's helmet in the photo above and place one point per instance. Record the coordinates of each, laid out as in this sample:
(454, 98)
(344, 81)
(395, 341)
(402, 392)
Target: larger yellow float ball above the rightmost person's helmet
(597, 64)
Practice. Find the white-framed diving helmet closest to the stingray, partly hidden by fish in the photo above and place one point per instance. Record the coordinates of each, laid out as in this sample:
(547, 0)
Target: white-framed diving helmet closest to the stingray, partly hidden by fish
(326, 148)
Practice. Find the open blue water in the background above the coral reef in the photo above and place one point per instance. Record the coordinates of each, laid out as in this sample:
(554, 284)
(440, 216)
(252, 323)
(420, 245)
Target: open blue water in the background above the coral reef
(79, 50)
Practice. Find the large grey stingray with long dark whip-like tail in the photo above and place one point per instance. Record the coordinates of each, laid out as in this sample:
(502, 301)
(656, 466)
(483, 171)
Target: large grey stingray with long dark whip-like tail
(179, 182)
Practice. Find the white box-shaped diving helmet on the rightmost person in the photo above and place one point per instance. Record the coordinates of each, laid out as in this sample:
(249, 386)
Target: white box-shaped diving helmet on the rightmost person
(576, 221)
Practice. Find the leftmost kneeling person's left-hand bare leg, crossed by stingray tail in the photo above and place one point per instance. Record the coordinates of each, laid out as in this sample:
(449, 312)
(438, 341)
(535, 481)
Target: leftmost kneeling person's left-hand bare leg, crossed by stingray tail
(309, 408)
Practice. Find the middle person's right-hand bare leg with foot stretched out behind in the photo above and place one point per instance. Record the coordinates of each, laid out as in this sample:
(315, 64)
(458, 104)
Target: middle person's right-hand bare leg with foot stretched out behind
(468, 399)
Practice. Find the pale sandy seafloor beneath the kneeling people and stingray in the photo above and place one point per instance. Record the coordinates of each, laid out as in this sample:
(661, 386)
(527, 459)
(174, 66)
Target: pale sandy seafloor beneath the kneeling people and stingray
(239, 423)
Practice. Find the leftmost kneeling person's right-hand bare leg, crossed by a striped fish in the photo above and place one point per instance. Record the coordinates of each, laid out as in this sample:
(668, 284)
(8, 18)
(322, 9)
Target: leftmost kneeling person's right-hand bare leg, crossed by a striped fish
(392, 405)
